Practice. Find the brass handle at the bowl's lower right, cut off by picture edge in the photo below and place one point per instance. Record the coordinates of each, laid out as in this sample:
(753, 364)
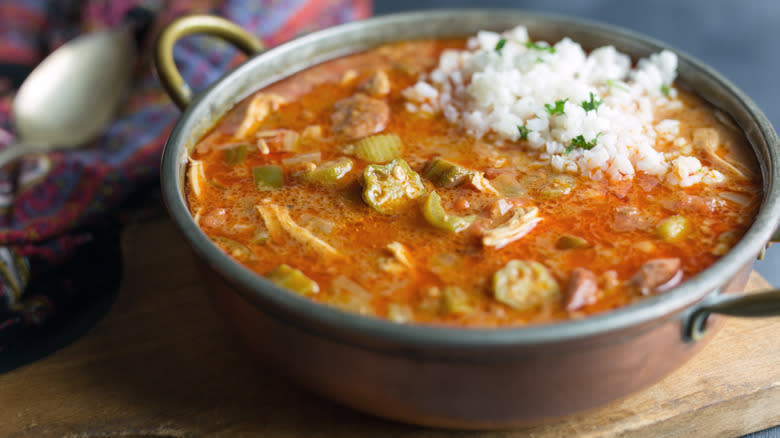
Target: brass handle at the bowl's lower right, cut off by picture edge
(760, 304)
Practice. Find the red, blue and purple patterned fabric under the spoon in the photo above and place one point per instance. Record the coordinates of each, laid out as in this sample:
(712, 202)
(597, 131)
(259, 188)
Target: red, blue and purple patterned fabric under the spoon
(55, 208)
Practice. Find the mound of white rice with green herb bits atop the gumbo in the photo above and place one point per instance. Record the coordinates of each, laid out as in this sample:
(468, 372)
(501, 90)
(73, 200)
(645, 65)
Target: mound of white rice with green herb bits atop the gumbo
(488, 90)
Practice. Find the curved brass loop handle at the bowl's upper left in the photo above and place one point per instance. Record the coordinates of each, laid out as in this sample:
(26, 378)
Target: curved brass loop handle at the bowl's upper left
(169, 75)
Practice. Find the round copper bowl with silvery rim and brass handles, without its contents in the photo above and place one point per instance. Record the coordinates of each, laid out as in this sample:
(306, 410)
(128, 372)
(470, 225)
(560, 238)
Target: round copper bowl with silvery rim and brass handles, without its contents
(461, 378)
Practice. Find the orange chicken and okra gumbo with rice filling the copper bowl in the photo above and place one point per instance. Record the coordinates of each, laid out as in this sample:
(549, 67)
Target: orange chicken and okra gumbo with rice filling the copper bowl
(481, 182)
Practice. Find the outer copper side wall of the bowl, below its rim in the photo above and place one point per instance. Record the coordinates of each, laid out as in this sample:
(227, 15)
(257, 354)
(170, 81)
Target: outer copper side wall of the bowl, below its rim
(522, 386)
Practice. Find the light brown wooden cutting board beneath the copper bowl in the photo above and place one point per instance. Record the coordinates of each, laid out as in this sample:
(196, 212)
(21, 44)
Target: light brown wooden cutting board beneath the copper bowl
(162, 364)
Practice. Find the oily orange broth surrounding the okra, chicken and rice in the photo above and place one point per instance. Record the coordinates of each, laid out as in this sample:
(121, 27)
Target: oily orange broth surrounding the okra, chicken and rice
(367, 278)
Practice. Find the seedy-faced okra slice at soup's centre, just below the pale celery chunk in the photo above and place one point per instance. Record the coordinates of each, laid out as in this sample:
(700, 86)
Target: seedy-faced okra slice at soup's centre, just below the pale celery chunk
(387, 187)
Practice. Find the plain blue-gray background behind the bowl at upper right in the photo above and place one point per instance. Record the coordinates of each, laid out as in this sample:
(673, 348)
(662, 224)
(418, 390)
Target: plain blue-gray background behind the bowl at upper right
(741, 39)
